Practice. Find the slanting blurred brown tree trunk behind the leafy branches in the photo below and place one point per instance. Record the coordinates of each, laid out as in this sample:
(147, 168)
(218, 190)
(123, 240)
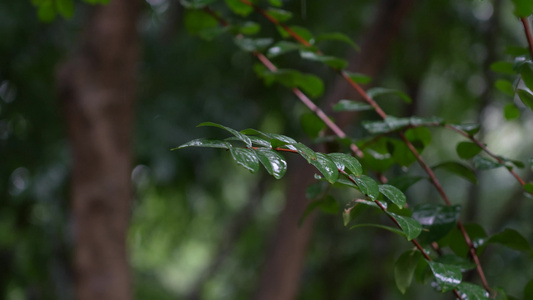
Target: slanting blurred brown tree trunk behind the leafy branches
(282, 271)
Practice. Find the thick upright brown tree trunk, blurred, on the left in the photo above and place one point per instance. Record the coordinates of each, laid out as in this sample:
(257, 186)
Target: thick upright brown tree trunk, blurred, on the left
(96, 87)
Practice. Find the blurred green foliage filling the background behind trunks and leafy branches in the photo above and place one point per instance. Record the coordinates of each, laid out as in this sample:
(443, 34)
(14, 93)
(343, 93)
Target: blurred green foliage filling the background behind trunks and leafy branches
(186, 203)
